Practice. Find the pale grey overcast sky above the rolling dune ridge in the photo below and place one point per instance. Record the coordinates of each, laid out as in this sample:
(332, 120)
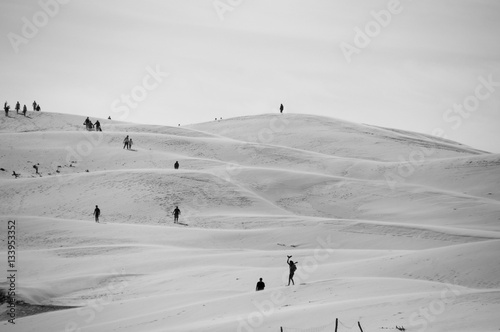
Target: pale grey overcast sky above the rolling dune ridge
(429, 66)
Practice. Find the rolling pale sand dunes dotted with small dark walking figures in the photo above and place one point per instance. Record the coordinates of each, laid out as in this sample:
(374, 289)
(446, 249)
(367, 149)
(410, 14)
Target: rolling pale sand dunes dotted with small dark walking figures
(390, 228)
